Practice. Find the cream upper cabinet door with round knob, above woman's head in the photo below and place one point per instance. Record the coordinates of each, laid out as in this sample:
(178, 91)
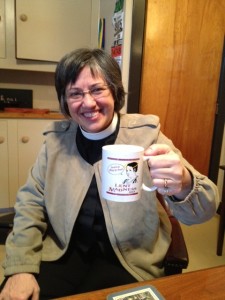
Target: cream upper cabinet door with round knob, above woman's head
(47, 29)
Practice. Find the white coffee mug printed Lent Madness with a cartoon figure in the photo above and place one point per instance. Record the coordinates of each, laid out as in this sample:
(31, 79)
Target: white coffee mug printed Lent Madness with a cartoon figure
(122, 168)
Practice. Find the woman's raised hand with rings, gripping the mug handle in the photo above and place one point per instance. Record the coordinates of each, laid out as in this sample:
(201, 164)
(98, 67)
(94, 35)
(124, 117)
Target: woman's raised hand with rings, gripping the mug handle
(167, 171)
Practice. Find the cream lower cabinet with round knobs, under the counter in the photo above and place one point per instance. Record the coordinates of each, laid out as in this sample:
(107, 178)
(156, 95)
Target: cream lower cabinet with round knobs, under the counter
(20, 142)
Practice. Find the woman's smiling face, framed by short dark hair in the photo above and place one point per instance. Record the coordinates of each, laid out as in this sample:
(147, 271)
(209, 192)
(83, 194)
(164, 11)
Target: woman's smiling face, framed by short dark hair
(93, 115)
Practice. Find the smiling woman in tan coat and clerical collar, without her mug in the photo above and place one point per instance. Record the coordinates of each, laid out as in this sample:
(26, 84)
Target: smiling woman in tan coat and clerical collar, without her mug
(62, 217)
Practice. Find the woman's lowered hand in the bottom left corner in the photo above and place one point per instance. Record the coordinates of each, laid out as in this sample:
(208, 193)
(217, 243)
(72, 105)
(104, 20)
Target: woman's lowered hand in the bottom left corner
(22, 286)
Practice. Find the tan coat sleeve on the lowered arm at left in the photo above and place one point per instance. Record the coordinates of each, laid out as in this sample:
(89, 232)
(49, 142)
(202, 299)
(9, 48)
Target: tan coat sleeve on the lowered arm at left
(24, 243)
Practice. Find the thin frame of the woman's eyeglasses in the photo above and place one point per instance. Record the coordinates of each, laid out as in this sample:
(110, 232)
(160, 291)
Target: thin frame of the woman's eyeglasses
(90, 92)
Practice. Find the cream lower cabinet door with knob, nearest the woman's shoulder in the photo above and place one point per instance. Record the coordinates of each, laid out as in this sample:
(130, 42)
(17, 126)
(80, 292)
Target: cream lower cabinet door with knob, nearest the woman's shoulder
(30, 139)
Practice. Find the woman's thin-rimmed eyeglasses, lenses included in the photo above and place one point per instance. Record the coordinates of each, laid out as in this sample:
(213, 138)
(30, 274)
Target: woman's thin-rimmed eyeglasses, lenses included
(97, 92)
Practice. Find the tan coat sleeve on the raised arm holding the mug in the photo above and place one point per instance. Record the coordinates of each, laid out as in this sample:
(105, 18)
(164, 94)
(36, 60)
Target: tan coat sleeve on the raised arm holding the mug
(201, 203)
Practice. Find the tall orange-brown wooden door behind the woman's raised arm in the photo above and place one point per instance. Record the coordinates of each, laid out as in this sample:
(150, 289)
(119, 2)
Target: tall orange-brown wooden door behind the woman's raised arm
(180, 74)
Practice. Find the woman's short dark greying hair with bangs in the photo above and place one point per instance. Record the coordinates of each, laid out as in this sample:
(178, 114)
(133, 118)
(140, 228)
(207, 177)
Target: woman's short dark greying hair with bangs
(100, 63)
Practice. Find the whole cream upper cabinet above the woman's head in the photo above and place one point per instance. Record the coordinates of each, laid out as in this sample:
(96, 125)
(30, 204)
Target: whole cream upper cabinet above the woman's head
(39, 32)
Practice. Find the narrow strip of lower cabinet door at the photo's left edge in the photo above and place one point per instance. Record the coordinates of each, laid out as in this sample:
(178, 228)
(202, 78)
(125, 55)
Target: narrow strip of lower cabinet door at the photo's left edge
(4, 173)
